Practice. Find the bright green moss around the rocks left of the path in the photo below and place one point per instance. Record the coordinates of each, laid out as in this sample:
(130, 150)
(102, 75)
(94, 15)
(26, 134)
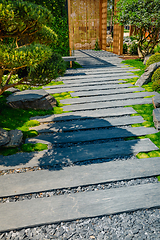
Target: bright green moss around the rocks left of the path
(11, 119)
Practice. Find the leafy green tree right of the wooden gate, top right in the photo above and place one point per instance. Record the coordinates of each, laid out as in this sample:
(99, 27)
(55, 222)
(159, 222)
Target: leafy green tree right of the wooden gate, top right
(145, 15)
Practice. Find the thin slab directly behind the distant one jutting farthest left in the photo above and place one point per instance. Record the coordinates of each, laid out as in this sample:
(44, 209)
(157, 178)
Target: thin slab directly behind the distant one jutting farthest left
(92, 79)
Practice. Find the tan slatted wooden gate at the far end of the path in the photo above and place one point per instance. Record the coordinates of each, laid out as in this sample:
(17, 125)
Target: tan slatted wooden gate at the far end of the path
(87, 23)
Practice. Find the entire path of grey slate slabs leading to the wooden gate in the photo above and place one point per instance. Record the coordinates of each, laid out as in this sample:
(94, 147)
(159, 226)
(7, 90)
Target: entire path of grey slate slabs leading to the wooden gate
(86, 147)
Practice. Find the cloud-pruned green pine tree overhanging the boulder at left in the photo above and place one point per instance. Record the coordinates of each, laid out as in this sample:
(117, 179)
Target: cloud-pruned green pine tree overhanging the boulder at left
(24, 47)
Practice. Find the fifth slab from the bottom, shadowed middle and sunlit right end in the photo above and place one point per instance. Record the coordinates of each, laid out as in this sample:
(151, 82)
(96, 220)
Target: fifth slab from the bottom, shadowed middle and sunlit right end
(87, 124)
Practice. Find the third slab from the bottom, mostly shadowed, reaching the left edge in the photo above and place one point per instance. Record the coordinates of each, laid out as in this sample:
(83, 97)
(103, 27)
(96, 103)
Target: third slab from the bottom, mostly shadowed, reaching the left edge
(75, 154)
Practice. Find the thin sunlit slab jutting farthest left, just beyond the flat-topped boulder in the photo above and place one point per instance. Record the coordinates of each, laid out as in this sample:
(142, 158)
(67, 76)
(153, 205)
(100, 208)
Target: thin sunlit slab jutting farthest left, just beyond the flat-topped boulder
(87, 88)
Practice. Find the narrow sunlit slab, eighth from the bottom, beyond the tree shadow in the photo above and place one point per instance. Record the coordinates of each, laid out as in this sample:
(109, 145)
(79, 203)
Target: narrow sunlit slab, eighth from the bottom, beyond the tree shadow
(104, 98)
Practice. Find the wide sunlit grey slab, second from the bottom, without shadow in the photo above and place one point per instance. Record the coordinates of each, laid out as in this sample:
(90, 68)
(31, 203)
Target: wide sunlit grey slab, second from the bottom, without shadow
(38, 181)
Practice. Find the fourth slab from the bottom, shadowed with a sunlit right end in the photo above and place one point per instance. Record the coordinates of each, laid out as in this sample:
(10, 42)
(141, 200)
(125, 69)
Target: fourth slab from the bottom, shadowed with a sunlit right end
(91, 135)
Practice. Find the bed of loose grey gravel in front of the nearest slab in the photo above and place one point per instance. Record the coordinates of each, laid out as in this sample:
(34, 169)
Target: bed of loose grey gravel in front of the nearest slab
(138, 225)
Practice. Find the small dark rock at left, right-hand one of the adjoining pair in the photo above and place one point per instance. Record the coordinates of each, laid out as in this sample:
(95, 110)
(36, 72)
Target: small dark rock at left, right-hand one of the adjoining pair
(15, 138)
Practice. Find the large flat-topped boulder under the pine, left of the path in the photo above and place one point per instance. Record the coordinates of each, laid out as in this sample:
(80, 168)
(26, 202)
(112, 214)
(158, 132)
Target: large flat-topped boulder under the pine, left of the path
(32, 99)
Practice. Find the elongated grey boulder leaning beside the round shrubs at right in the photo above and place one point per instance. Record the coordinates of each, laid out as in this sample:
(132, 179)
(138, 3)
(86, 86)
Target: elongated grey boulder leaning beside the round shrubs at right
(146, 76)
